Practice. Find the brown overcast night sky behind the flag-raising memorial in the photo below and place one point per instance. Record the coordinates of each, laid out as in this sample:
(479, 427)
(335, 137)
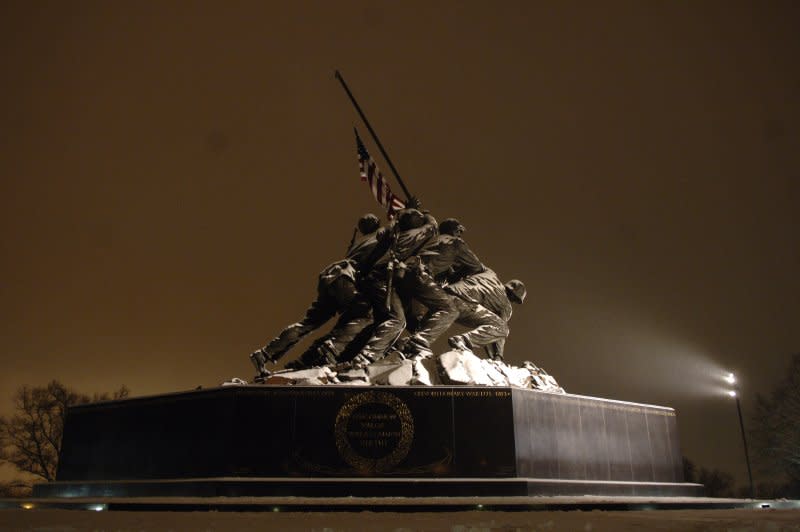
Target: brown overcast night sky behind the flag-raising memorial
(175, 174)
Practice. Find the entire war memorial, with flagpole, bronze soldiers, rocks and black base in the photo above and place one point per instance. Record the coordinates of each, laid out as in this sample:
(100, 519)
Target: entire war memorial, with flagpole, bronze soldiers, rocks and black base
(369, 410)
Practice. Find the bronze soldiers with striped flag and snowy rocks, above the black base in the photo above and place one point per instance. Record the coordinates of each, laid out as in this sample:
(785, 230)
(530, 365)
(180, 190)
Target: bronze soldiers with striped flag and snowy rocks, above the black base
(397, 290)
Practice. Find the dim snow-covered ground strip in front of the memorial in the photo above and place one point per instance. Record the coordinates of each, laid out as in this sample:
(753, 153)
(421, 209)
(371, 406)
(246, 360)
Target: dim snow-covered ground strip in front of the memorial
(473, 521)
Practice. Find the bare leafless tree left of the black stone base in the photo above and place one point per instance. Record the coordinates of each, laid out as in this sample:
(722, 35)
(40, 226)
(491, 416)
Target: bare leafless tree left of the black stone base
(31, 438)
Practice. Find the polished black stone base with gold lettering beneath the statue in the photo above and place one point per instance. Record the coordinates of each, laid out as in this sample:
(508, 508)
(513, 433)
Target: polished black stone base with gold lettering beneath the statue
(410, 441)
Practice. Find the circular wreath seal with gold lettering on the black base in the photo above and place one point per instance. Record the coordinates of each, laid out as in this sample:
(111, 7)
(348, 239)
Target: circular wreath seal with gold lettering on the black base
(374, 431)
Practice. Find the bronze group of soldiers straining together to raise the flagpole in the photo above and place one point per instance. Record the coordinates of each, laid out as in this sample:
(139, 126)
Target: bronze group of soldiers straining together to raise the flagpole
(413, 275)
